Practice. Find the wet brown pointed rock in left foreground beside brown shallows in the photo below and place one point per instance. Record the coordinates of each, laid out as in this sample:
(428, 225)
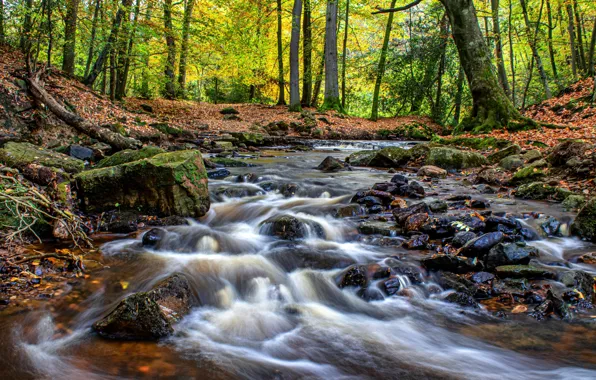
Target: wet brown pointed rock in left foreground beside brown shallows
(148, 315)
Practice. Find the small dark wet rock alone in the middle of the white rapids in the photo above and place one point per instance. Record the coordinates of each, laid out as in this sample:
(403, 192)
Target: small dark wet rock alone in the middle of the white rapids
(289, 227)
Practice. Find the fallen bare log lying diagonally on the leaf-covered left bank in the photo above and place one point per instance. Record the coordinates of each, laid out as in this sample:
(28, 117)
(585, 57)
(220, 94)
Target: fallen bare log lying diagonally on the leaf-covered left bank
(117, 141)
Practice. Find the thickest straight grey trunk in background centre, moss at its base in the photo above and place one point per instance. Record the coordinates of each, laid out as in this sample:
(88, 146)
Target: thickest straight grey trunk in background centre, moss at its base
(331, 100)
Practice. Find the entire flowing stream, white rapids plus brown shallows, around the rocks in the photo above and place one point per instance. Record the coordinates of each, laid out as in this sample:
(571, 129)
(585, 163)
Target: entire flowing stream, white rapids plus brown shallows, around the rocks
(272, 309)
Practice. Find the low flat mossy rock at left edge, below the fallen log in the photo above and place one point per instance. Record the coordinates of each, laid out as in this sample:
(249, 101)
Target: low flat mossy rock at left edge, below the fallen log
(19, 155)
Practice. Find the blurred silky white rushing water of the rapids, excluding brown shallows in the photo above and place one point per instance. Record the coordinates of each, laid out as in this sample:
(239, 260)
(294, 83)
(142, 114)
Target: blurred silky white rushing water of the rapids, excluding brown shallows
(268, 311)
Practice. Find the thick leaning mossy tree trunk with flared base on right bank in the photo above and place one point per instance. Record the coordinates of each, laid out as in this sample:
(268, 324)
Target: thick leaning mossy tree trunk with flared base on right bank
(491, 106)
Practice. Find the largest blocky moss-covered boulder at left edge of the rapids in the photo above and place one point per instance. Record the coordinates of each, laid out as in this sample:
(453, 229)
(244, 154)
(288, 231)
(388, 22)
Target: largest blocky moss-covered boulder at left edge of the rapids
(167, 184)
